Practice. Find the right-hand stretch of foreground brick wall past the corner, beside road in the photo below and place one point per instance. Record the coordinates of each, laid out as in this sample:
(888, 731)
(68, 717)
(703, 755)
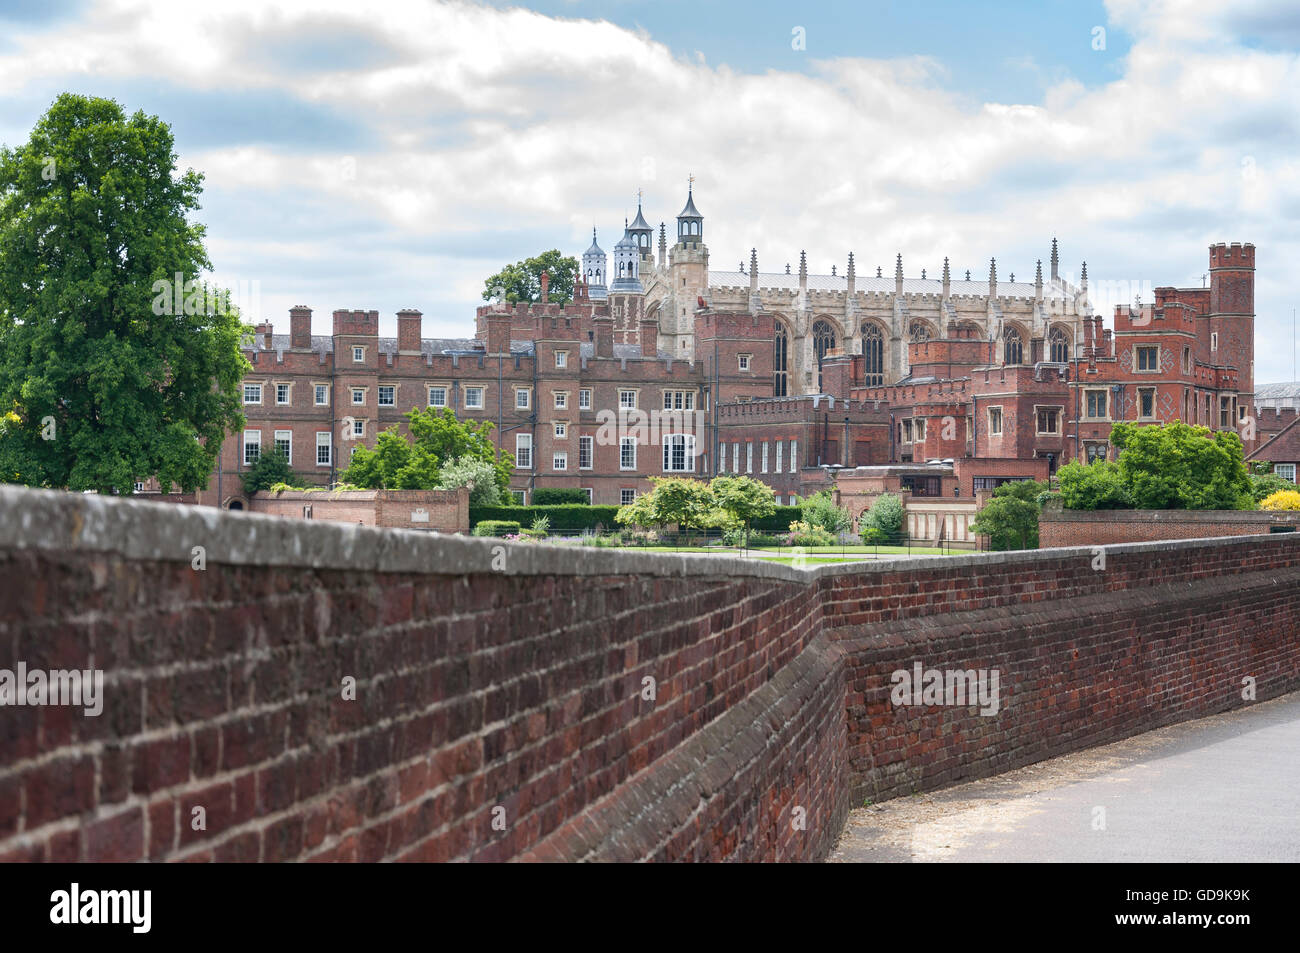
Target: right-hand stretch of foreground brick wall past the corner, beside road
(1163, 634)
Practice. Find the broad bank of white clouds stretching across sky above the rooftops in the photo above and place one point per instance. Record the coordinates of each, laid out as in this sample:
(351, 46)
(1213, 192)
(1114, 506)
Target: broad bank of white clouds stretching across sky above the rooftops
(480, 120)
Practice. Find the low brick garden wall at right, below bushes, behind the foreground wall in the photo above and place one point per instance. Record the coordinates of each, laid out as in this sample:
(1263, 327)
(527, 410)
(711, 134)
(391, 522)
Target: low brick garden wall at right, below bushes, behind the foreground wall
(1111, 527)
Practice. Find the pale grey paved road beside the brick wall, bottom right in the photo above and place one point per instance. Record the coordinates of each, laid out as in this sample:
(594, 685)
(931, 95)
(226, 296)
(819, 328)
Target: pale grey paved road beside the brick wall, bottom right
(1221, 789)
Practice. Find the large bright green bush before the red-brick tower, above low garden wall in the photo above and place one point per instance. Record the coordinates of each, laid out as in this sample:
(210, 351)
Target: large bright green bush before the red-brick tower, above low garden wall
(1181, 467)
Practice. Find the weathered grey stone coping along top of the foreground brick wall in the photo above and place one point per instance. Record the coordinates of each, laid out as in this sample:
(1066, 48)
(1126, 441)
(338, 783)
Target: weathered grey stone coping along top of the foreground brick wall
(138, 530)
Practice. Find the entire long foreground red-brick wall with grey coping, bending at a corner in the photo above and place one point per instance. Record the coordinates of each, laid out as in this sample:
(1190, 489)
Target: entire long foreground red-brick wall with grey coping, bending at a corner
(514, 692)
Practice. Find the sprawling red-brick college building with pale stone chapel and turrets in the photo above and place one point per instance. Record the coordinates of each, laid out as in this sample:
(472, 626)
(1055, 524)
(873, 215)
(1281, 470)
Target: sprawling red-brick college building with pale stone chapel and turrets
(662, 367)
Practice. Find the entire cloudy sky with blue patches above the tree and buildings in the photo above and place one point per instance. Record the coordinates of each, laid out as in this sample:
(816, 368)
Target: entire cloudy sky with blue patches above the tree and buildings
(393, 155)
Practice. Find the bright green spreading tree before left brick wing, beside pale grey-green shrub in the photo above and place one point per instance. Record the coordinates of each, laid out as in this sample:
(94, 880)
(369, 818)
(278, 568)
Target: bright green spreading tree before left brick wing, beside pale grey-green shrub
(437, 440)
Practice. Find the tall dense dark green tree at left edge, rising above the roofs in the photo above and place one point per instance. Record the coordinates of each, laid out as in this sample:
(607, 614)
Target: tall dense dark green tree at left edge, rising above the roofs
(111, 379)
